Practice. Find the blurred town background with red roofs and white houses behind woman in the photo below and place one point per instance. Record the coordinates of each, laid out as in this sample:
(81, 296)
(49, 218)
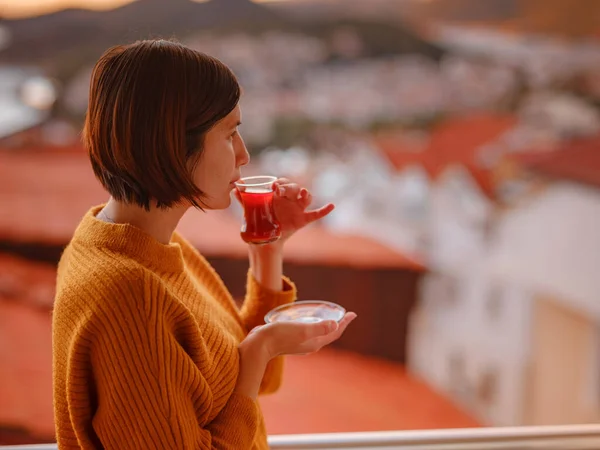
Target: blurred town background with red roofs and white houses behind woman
(460, 141)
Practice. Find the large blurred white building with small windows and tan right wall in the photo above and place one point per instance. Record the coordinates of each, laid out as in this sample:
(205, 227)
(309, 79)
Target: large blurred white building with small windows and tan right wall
(508, 323)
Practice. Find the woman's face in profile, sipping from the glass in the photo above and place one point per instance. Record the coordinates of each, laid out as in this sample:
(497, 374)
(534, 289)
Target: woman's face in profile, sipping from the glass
(219, 166)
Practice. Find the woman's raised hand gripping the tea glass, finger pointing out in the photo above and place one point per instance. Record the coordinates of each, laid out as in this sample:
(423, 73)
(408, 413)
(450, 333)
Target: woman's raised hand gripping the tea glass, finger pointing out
(290, 204)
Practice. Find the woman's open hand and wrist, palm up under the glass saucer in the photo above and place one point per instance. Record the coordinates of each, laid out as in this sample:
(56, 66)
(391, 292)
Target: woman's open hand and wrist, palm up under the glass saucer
(282, 338)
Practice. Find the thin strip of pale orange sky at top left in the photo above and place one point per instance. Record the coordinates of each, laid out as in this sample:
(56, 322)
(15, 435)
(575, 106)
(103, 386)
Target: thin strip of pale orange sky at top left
(24, 8)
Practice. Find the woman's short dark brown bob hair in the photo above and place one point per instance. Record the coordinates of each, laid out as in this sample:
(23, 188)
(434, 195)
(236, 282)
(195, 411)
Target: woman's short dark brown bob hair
(150, 105)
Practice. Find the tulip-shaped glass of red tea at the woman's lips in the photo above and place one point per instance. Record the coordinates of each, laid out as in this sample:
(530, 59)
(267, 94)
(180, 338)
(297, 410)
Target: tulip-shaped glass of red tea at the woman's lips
(259, 225)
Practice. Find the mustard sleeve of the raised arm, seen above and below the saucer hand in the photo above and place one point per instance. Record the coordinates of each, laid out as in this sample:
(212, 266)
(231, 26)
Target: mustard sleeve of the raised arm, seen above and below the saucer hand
(259, 301)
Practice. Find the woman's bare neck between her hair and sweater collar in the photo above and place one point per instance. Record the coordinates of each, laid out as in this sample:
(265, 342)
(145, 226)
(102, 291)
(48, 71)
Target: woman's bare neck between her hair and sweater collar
(160, 223)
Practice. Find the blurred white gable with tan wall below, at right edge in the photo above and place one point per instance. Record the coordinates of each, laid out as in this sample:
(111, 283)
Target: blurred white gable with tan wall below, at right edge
(549, 250)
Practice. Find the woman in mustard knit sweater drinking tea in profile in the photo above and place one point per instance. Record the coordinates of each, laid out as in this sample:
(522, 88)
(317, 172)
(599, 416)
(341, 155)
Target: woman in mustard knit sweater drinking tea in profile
(149, 348)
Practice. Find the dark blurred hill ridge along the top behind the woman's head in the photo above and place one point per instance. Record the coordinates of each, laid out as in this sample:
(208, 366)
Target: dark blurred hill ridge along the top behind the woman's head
(62, 42)
